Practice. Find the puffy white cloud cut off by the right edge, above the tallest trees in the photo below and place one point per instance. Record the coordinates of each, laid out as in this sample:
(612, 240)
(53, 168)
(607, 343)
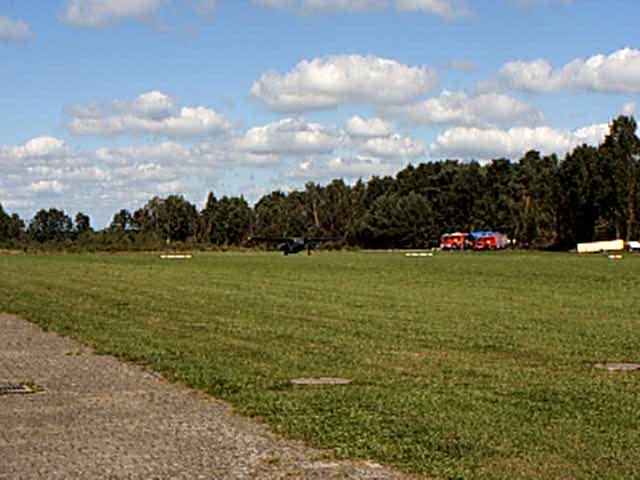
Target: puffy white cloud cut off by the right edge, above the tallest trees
(617, 72)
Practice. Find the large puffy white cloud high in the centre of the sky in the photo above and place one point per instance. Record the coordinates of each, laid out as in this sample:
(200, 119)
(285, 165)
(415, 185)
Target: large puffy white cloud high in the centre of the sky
(327, 82)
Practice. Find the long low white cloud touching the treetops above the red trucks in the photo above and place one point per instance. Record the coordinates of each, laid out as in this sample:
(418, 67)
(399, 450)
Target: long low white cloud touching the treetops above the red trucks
(486, 144)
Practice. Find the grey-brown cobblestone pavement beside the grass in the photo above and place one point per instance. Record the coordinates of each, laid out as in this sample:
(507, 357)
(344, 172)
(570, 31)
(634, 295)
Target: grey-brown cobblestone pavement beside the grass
(100, 418)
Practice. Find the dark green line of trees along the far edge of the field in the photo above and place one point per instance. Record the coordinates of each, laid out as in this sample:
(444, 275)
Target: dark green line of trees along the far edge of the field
(541, 201)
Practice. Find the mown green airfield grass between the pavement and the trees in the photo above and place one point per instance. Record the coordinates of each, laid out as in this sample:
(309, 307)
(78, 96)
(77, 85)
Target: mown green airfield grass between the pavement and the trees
(463, 365)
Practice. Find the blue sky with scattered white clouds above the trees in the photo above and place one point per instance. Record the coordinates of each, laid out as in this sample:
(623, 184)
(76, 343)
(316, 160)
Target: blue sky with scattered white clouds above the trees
(109, 102)
